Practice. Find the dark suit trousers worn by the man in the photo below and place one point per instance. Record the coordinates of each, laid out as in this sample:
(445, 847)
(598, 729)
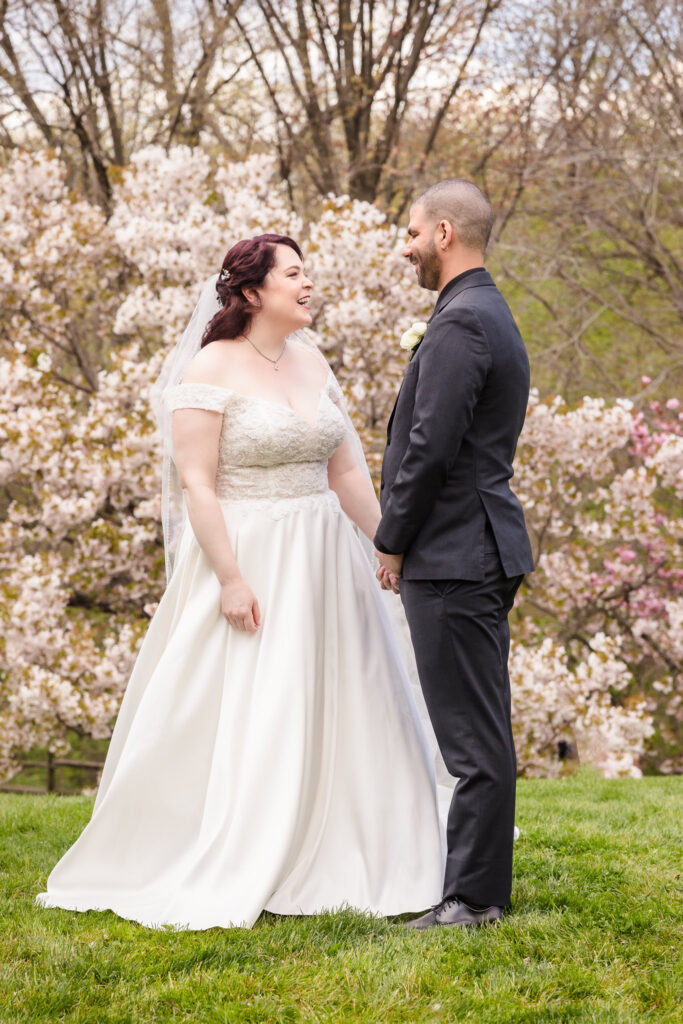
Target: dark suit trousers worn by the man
(462, 641)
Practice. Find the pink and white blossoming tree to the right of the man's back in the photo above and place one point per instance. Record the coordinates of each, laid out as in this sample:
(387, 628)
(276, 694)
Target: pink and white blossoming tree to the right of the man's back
(606, 602)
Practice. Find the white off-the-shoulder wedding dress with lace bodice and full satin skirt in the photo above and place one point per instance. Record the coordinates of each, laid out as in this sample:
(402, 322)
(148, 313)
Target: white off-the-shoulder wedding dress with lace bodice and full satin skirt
(284, 771)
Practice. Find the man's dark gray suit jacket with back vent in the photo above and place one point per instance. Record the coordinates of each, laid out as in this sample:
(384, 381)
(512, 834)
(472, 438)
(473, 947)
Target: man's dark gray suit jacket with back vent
(452, 438)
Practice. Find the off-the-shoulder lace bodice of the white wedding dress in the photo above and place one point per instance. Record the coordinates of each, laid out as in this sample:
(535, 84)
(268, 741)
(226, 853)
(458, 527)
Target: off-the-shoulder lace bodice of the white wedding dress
(269, 453)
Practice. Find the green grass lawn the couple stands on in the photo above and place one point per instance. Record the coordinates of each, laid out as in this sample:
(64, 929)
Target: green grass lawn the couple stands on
(594, 933)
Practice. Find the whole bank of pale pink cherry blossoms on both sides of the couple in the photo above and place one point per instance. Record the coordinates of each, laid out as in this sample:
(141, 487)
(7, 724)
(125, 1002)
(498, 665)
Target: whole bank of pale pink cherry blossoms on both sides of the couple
(89, 310)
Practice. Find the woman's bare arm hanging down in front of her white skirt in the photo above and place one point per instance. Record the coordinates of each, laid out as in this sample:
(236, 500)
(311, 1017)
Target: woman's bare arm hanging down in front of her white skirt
(196, 440)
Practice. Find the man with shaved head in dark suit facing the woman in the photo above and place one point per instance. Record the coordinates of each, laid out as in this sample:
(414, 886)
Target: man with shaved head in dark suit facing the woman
(453, 535)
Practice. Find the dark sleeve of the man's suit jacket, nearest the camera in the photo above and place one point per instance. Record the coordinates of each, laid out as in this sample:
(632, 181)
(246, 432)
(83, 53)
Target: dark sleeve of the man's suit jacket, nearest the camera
(454, 363)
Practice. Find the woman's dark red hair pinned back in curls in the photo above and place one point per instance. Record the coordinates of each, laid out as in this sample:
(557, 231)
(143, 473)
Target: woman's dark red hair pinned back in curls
(246, 266)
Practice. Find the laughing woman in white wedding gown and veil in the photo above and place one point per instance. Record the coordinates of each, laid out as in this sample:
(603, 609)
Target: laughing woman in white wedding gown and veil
(269, 754)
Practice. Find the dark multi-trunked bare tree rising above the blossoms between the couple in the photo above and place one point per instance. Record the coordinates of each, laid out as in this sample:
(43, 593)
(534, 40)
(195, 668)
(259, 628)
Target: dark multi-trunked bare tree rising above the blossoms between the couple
(341, 76)
